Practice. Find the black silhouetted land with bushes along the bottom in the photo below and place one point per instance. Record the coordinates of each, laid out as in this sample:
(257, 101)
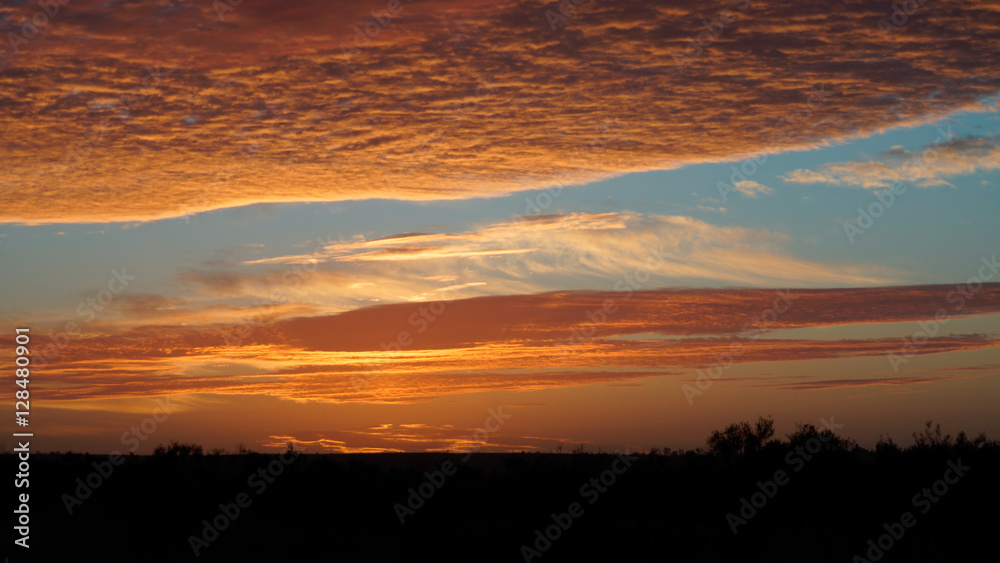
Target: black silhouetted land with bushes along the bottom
(934, 501)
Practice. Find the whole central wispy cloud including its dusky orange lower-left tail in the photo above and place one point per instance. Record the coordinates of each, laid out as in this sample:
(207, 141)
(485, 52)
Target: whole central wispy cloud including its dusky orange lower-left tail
(529, 254)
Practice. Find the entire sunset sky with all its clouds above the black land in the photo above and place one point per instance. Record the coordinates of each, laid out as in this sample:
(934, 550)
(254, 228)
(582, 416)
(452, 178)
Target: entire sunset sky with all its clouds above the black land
(368, 226)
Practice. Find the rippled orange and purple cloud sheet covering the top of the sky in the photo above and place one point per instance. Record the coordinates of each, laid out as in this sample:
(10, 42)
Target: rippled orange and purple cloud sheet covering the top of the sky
(273, 102)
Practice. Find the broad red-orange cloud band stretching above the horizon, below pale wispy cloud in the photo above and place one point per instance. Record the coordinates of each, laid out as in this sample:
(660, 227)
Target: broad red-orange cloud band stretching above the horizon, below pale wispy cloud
(409, 352)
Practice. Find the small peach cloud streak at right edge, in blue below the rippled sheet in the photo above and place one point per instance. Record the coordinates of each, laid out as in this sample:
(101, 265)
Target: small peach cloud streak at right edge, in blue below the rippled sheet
(926, 168)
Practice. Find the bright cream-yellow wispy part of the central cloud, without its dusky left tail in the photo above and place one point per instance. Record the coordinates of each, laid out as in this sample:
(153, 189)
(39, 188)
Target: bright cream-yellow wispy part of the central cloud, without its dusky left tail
(547, 251)
